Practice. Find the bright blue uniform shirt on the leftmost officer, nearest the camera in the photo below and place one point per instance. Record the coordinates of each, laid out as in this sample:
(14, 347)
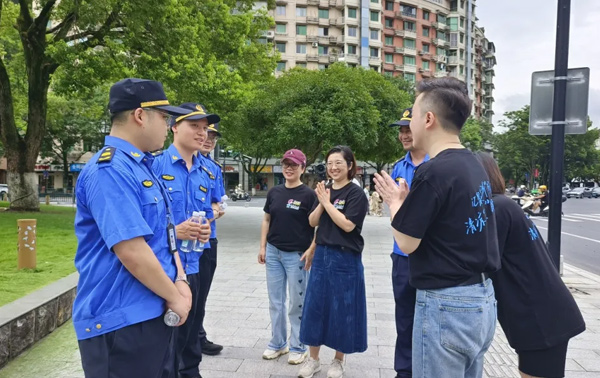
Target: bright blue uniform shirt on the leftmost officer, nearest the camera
(118, 199)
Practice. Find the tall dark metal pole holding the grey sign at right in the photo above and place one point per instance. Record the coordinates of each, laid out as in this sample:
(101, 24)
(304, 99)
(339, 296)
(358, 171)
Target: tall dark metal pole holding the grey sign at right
(561, 63)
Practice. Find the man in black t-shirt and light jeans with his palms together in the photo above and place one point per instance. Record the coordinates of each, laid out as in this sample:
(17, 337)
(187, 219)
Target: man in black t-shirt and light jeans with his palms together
(446, 225)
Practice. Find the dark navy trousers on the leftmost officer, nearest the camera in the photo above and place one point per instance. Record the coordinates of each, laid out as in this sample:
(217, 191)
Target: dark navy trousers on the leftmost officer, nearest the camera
(143, 350)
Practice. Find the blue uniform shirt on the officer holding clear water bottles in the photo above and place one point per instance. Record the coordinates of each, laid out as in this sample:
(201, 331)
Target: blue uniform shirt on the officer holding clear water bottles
(190, 191)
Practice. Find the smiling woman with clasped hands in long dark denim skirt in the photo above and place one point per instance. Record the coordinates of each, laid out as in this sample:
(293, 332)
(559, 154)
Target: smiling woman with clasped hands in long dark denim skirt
(335, 308)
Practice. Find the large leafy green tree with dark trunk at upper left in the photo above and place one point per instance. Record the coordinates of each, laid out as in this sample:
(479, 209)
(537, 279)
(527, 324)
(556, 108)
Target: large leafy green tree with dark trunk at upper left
(201, 49)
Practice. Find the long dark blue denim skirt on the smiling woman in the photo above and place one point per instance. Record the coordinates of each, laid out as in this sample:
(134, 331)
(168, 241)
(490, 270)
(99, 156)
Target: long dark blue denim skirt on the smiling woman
(335, 307)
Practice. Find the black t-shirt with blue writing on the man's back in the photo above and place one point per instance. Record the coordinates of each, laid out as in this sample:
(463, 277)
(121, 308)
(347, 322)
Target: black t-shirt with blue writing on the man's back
(450, 208)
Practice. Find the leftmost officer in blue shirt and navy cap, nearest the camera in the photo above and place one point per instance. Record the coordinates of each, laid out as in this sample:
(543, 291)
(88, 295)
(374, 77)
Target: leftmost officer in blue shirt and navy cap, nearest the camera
(129, 268)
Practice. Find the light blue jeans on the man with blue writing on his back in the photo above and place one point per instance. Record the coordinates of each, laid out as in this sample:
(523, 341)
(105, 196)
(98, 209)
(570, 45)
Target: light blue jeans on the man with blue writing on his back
(453, 329)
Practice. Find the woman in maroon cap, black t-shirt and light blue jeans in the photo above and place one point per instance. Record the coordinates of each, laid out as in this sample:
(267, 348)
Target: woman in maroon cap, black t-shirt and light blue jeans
(285, 236)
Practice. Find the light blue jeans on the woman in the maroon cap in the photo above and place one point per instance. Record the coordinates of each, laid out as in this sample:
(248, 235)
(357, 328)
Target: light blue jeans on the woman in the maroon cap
(285, 269)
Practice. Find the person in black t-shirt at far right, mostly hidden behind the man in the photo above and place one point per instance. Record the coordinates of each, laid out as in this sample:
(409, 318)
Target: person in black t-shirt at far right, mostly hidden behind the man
(536, 310)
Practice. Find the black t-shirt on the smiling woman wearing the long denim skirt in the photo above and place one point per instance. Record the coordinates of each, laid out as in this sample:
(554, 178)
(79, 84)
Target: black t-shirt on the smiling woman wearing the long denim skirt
(352, 202)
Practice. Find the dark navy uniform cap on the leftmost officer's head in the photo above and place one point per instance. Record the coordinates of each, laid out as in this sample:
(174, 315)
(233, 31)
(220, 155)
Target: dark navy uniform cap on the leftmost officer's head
(129, 94)
